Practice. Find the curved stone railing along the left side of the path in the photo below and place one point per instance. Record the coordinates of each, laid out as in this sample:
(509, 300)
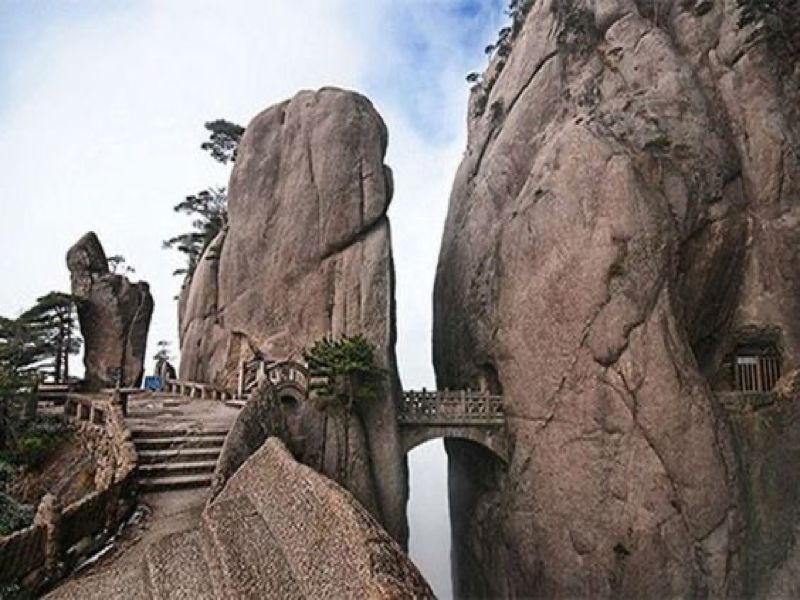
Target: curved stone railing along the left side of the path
(60, 538)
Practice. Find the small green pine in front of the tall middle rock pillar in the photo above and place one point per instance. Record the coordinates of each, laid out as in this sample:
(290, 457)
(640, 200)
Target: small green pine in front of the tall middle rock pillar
(351, 379)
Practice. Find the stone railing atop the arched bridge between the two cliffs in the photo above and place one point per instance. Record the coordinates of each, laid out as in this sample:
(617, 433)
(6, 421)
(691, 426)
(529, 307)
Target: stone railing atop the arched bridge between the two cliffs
(464, 407)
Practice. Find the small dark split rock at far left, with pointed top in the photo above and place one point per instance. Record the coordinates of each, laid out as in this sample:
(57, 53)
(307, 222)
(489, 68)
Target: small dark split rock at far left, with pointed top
(114, 316)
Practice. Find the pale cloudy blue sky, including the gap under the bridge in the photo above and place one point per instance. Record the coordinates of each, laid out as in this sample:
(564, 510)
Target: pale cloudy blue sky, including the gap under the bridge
(102, 105)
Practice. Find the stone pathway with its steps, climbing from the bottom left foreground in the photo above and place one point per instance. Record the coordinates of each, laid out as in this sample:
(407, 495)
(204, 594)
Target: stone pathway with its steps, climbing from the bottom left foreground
(172, 435)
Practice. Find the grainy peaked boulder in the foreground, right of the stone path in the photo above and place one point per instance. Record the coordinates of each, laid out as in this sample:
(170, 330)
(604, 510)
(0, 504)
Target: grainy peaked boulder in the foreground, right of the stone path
(313, 539)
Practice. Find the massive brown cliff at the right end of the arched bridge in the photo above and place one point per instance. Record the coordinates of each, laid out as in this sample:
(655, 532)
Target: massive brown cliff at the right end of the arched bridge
(626, 216)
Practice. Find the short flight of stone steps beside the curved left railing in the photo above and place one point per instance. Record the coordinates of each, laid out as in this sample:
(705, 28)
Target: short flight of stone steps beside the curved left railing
(171, 459)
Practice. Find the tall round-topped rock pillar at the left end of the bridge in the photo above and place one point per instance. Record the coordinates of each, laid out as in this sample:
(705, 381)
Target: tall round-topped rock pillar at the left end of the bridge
(307, 253)
